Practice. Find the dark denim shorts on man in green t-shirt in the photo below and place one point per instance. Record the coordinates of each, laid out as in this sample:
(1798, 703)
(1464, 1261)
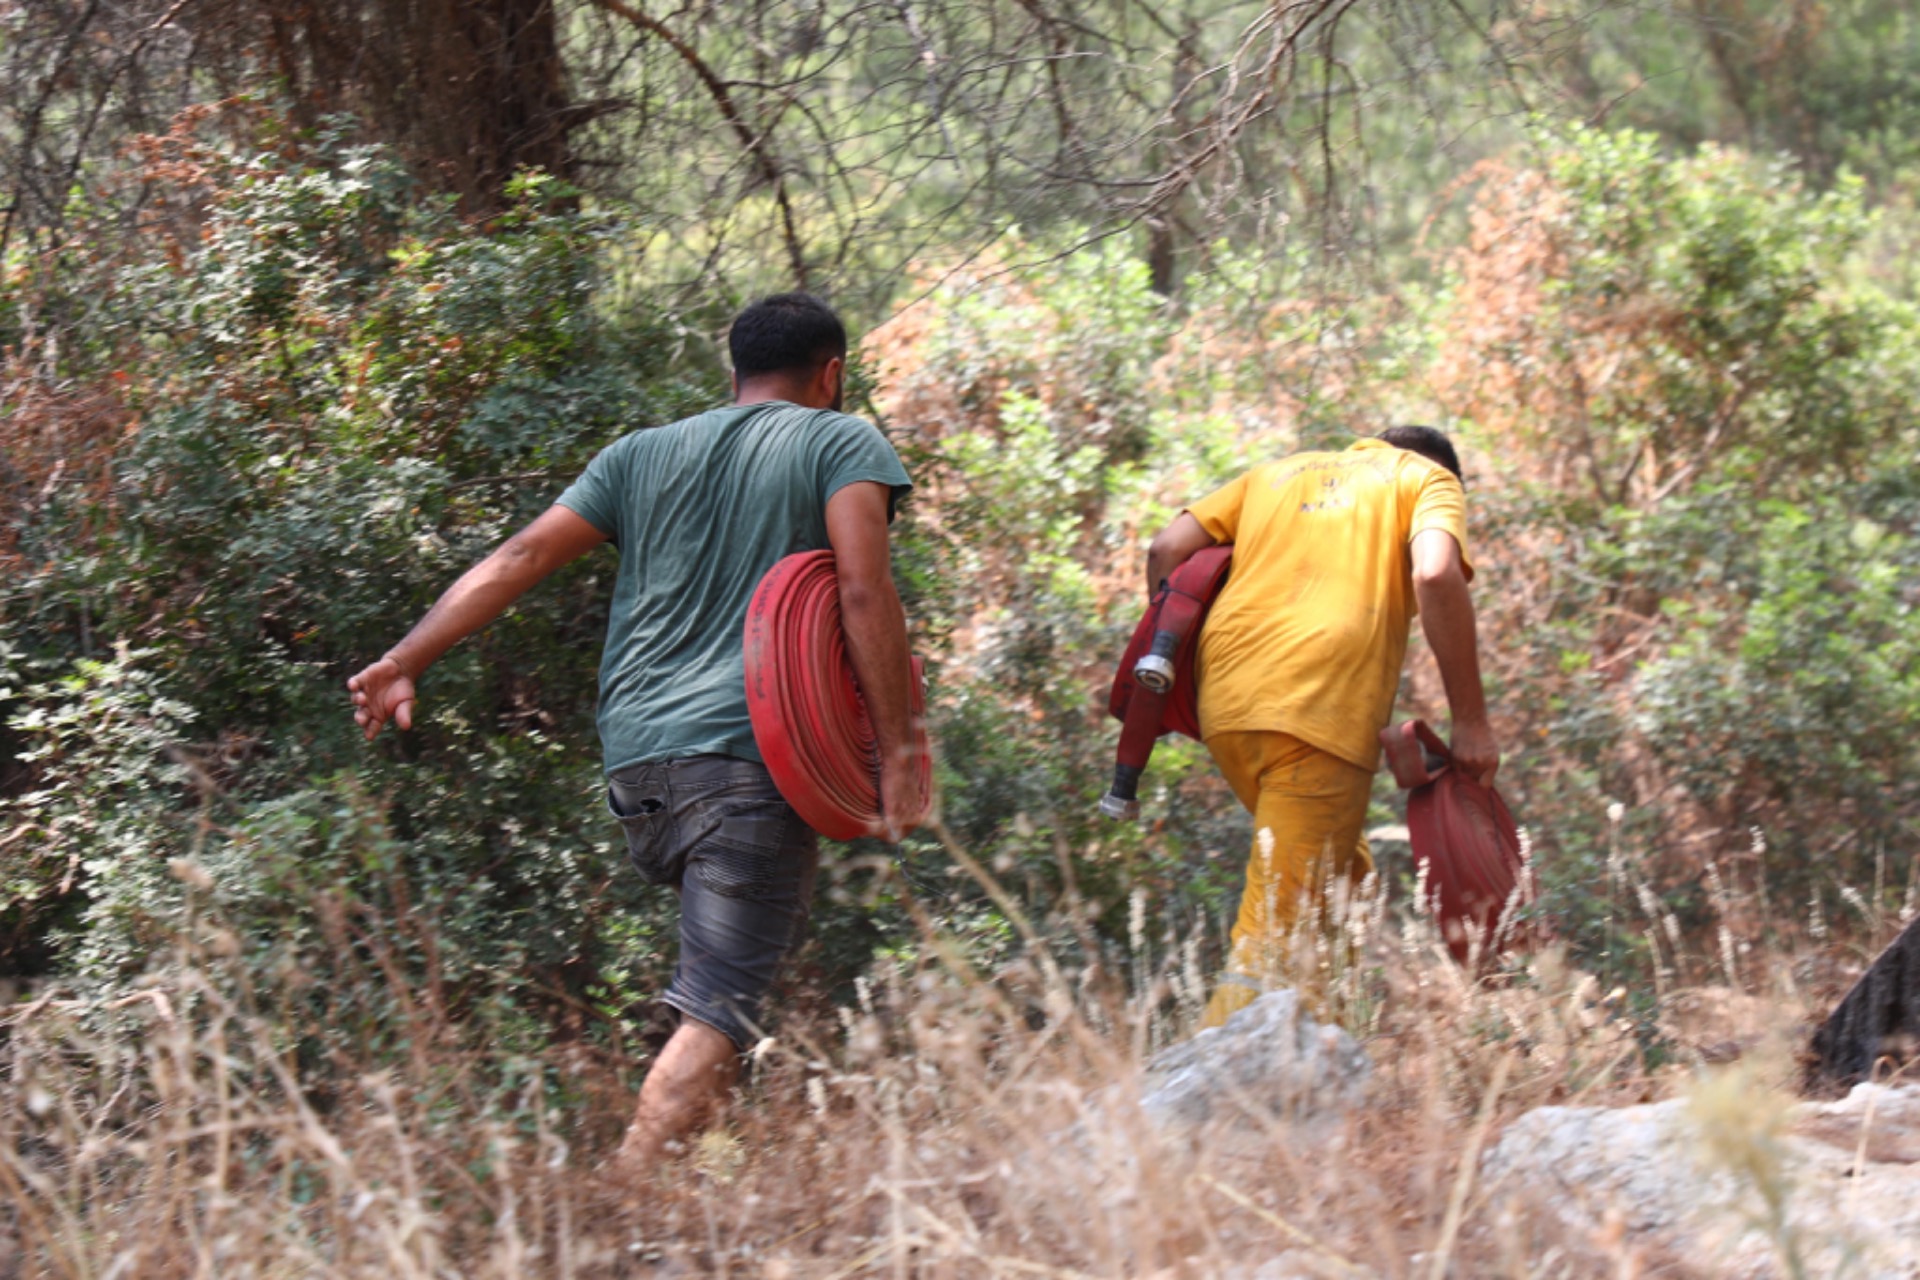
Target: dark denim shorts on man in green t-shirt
(719, 834)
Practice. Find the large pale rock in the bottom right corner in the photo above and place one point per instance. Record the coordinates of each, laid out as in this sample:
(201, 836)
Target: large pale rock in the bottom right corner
(1850, 1185)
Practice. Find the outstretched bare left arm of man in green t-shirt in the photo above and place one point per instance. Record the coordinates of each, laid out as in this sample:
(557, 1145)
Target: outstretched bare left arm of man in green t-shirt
(483, 594)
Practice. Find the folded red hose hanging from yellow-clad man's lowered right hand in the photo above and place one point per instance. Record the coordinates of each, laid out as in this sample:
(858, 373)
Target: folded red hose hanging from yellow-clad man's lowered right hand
(1464, 845)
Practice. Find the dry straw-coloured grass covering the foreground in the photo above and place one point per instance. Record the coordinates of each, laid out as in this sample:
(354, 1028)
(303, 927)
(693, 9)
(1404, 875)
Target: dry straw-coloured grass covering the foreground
(949, 1124)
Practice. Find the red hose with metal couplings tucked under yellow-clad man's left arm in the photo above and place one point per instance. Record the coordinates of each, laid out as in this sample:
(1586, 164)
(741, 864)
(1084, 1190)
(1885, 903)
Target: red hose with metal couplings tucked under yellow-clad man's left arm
(1155, 690)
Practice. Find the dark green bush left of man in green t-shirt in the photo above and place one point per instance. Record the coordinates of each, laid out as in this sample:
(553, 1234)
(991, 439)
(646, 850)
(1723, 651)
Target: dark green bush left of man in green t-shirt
(341, 400)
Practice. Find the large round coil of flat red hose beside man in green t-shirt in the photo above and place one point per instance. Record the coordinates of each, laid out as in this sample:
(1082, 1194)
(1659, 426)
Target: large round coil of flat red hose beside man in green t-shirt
(805, 705)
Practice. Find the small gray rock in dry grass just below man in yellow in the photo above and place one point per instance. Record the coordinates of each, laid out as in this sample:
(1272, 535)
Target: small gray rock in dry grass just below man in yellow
(1270, 1060)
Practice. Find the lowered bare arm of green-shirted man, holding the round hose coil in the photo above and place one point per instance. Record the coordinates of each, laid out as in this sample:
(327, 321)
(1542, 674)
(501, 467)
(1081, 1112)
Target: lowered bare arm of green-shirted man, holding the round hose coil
(876, 642)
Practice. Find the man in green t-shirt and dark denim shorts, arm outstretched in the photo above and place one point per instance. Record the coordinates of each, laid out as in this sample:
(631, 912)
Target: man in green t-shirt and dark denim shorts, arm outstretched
(700, 511)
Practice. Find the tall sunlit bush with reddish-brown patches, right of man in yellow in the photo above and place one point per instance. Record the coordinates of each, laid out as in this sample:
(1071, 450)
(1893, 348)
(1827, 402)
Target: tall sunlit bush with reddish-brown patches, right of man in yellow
(1706, 427)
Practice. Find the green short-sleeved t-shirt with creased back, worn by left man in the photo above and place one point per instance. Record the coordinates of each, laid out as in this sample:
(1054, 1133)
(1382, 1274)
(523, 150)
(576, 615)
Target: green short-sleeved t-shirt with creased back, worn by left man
(700, 511)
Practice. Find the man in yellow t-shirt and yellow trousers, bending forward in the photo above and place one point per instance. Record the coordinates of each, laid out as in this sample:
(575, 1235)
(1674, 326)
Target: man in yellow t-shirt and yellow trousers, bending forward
(1333, 554)
